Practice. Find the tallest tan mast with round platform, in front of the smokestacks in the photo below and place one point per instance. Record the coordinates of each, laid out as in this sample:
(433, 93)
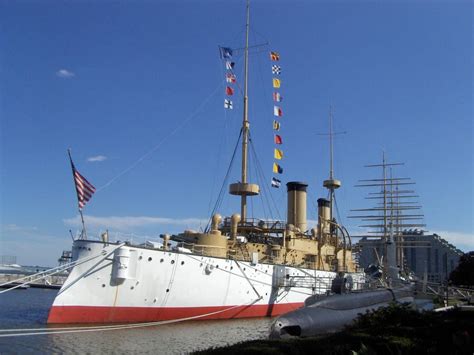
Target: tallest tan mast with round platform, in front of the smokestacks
(243, 188)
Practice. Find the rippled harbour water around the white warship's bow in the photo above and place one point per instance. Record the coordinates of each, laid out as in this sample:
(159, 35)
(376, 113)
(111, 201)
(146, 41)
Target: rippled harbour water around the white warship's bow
(29, 309)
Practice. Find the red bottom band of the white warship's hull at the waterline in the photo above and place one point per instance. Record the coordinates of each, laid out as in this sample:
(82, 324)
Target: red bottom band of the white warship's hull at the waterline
(86, 314)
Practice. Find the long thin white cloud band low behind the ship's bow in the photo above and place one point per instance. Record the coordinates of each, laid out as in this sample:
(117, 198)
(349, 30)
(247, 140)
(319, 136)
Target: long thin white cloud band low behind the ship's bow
(125, 223)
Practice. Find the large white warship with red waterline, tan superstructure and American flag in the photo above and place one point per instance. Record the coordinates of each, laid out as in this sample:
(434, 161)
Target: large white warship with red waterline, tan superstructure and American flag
(237, 267)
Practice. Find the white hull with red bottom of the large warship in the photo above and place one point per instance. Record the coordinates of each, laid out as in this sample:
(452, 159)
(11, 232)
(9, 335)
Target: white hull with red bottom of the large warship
(162, 285)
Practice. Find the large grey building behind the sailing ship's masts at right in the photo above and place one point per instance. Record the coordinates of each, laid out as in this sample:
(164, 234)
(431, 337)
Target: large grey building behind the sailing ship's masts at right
(421, 253)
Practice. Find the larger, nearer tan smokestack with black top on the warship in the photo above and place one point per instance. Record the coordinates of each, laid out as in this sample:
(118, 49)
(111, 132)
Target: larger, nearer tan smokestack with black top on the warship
(297, 204)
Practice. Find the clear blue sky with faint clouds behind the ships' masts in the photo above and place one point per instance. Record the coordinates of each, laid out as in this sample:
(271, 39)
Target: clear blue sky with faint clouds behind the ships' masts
(136, 90)
